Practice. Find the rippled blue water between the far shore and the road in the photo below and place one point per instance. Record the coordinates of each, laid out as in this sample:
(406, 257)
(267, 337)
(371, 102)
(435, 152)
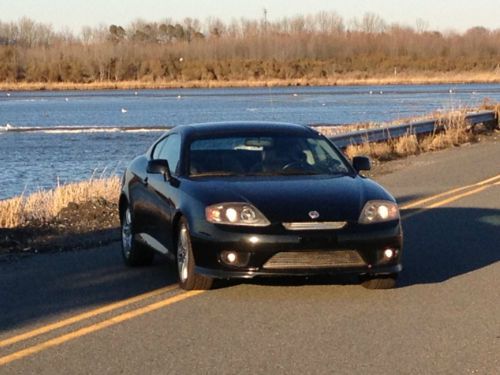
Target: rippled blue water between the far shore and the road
(72, 135)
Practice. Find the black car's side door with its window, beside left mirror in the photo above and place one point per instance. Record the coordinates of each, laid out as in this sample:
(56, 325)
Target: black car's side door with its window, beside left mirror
(163, 194)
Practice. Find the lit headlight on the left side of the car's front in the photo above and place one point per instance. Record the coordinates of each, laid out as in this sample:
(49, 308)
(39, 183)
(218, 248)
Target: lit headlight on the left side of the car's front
(235, 214)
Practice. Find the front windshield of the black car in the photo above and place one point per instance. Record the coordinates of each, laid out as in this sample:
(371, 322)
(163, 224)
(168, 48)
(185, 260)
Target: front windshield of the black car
(268, 155)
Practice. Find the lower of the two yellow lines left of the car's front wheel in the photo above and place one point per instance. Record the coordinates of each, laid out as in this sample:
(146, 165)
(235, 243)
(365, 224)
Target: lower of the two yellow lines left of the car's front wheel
(96, 327)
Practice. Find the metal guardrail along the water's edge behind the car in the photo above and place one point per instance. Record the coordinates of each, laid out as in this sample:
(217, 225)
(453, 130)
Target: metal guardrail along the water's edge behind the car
(418, 128)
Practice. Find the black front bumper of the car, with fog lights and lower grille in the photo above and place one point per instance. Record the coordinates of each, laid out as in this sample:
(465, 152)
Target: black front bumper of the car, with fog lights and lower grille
(356, 249)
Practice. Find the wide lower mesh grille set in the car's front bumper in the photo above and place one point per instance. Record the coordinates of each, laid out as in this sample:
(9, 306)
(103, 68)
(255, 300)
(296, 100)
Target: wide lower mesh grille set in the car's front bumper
(313, 259)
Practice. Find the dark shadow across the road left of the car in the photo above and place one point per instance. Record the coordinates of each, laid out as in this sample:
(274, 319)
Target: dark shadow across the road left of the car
(45, 287)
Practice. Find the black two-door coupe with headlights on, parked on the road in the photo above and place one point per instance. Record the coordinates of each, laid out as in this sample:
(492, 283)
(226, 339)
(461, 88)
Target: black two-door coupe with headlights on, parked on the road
(239, 200)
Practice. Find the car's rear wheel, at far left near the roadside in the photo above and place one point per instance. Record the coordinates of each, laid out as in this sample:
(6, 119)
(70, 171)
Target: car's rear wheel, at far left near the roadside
(134, 253)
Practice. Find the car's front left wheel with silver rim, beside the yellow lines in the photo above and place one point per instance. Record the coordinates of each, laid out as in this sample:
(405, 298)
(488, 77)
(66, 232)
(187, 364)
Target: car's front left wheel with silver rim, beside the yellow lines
(188, 278)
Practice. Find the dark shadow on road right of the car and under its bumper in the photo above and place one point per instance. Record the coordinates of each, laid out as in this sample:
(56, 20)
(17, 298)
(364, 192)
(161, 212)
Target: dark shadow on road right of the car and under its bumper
(439, 244)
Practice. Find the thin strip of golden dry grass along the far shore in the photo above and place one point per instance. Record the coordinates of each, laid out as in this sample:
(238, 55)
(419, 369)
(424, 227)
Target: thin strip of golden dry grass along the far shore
(402, 79)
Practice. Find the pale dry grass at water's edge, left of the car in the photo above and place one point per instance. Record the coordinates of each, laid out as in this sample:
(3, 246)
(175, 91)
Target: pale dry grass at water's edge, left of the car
(44, 205)
